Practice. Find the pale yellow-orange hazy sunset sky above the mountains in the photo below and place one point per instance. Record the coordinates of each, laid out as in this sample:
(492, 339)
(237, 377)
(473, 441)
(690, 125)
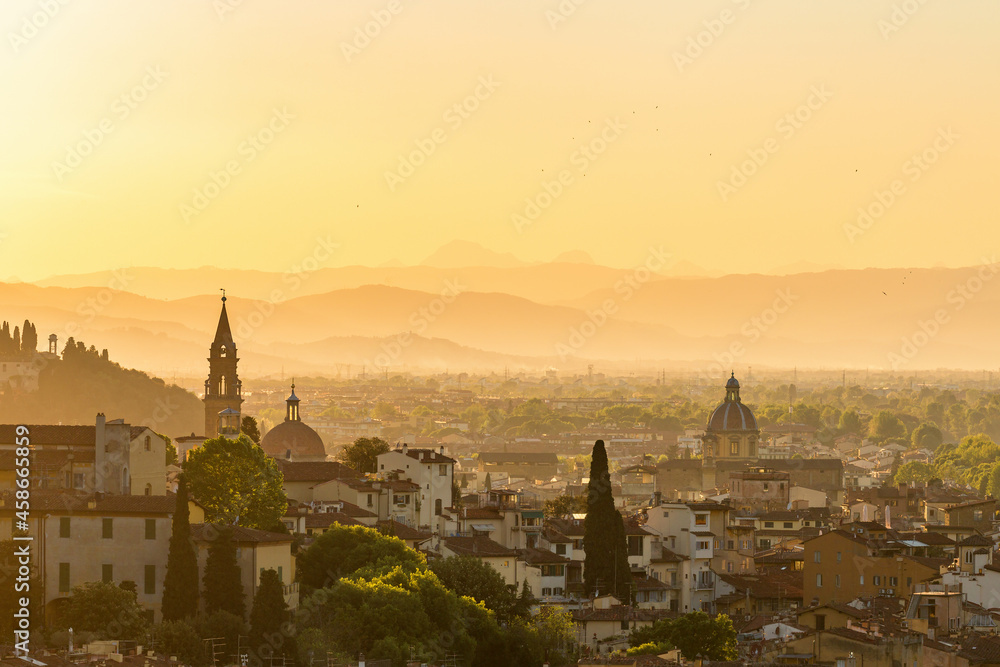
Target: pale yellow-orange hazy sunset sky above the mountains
(116, 111)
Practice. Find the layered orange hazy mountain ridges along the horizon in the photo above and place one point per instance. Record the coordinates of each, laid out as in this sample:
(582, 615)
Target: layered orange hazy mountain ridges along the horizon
(555, 315)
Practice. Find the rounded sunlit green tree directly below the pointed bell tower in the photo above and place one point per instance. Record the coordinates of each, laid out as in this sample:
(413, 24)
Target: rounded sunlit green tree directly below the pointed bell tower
(235, 480)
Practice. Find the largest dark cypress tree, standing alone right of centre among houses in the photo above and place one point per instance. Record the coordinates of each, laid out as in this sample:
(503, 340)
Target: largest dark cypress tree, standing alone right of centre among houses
(605, 567)
